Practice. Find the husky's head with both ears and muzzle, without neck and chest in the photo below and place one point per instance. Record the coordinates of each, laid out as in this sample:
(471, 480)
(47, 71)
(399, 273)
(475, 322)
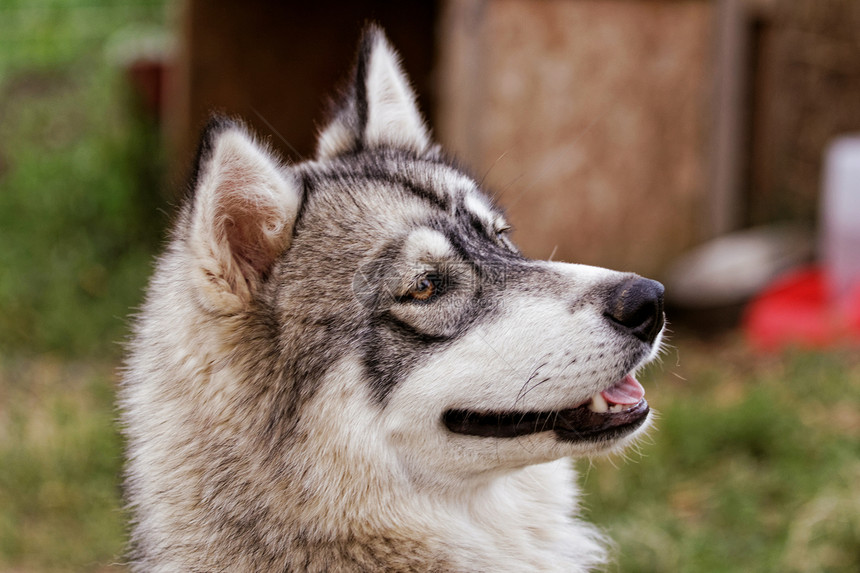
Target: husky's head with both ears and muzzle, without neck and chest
(380, 253)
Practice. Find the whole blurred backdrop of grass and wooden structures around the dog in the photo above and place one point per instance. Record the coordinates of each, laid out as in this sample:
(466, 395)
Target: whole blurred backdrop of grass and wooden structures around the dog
(706, 143)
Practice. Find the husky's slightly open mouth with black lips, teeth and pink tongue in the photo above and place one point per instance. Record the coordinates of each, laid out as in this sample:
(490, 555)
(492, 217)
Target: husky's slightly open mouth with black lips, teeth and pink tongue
(609, 414)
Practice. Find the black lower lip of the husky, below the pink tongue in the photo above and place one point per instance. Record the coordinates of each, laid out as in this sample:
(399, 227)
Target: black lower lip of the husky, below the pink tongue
(573, 425)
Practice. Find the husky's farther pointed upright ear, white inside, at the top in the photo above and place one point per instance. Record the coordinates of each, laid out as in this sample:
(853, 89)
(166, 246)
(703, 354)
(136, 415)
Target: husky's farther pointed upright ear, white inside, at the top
(379, 108)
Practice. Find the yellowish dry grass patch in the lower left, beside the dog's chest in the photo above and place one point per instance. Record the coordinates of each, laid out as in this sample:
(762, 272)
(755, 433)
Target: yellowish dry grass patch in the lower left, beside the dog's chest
(59, 468)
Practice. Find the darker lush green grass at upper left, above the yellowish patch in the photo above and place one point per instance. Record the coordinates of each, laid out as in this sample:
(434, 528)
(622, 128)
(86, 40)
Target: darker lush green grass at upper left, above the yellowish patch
(79, 180)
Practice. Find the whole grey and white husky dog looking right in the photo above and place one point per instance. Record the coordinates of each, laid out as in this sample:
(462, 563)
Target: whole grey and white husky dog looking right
(346, 365)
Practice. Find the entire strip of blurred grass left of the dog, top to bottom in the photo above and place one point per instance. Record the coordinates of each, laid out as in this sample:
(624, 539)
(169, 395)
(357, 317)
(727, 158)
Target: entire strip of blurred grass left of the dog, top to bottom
(79, 191)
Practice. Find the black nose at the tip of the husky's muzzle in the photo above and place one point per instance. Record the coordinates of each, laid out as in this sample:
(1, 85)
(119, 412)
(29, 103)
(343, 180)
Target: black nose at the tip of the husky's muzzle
(636, 305)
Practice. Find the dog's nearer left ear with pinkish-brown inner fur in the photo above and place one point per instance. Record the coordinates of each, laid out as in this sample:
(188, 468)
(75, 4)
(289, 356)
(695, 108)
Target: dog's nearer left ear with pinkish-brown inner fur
(242, 215)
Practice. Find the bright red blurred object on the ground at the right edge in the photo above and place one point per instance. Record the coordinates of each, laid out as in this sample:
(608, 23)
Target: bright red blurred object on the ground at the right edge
(796, 310)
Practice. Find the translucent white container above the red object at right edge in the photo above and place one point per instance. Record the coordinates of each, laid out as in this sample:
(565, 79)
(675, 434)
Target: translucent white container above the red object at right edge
(840, 218)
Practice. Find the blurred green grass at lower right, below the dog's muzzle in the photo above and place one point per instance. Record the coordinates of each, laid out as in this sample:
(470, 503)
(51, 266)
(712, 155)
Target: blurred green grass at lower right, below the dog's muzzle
(754, 466)
